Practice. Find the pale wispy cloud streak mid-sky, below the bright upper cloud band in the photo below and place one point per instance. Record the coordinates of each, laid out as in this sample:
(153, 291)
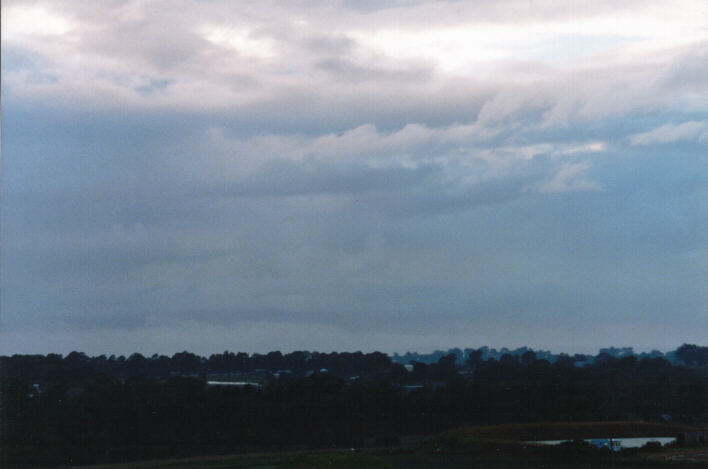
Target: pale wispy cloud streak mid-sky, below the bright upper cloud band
(464, 153)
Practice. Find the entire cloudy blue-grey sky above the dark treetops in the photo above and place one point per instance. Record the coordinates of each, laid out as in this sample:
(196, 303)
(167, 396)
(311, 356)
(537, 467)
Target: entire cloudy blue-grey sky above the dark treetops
(353, 175)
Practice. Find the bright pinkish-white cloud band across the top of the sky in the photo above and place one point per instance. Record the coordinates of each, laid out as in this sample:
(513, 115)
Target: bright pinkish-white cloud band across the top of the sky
(238, 58)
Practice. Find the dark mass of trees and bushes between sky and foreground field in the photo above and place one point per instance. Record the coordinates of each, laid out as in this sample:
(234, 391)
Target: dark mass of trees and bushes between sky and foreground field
(86, 410)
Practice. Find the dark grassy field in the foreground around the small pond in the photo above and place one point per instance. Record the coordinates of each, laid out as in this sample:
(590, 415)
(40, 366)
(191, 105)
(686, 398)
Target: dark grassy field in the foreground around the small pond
(495, 447)
